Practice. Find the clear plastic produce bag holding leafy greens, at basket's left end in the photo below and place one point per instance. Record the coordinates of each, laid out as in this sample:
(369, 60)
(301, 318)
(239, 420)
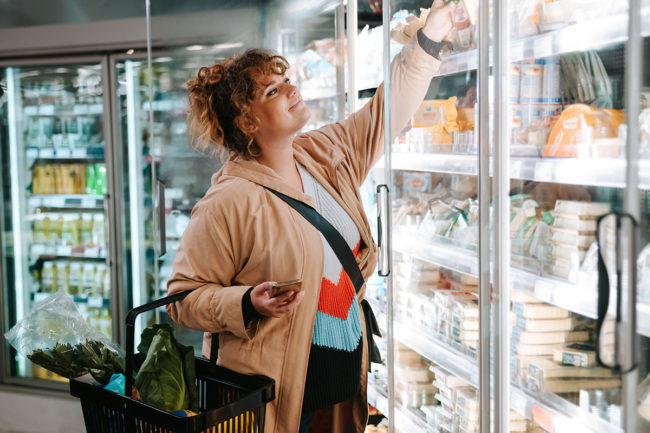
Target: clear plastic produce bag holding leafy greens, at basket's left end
(57, 337)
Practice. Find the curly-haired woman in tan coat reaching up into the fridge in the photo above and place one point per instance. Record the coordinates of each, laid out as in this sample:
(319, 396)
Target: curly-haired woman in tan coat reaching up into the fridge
(242, 237)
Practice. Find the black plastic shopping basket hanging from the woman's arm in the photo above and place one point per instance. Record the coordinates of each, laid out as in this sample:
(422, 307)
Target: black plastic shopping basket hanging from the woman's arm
(229, 402)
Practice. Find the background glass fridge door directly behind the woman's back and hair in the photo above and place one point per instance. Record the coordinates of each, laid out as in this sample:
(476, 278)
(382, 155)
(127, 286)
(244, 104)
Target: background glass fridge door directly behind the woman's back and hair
(162, 176)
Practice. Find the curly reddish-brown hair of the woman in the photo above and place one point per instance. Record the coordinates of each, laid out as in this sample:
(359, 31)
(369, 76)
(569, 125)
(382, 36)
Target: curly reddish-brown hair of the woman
(221, 94)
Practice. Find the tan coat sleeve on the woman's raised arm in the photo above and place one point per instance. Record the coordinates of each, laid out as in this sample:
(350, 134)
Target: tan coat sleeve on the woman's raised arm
(360, 137)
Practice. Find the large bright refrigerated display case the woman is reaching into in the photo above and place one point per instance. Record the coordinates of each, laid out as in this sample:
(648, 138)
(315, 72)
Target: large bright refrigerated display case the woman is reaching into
(494, 203)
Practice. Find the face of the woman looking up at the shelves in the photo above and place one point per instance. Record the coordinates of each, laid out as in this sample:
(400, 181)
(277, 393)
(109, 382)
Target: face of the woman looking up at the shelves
(279, 108)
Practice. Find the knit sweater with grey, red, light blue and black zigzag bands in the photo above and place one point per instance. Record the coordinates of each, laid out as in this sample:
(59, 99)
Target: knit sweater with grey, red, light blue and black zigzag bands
(334, 370)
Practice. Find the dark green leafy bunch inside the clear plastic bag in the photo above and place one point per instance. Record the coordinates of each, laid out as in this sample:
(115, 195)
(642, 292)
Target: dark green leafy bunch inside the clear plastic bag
(71, 361)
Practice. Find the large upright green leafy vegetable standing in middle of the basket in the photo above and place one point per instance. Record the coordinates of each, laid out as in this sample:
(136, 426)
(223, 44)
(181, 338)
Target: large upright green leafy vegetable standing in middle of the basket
(166, 379)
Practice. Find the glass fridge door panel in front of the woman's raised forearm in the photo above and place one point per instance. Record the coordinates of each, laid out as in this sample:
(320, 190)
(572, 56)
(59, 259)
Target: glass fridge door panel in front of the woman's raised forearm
(436, 266)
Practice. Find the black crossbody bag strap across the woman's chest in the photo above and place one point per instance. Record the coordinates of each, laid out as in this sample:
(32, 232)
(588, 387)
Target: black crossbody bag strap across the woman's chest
(333, 237)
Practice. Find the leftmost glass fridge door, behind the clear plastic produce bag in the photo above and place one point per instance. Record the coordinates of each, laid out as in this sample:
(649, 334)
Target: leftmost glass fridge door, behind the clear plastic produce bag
(56, 213)
